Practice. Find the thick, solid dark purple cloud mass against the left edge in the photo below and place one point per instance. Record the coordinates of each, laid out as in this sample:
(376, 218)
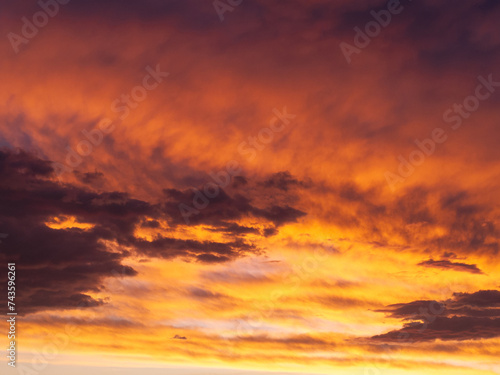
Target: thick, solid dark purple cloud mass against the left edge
(57, 267)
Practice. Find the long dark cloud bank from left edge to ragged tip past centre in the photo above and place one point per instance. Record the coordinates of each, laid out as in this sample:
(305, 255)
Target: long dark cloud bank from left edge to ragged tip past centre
(59, 266)
